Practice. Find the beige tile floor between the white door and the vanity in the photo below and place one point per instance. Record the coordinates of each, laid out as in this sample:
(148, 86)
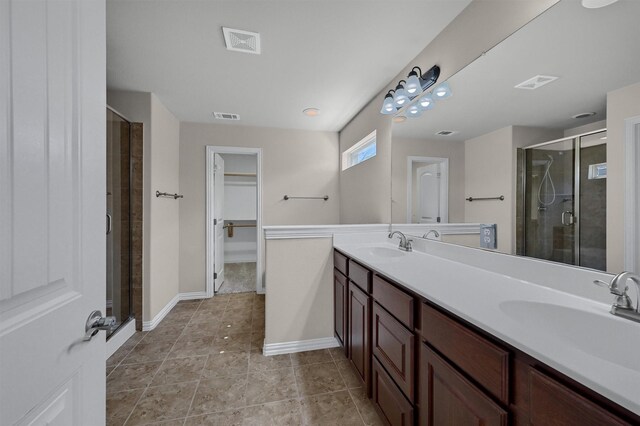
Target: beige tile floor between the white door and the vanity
(203, 365)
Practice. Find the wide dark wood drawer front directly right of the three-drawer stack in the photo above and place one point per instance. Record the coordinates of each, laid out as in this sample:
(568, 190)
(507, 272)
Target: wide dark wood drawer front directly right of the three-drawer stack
(482, 360)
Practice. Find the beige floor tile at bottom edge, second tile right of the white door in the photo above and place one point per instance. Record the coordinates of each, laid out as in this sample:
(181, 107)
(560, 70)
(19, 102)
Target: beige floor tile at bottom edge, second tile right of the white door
(159, 403)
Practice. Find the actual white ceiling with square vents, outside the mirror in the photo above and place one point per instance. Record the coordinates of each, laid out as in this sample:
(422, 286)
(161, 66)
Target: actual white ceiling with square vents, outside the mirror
(329, 54)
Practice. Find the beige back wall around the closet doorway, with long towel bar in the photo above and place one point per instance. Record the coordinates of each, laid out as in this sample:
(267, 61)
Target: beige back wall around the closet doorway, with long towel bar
(294, 162)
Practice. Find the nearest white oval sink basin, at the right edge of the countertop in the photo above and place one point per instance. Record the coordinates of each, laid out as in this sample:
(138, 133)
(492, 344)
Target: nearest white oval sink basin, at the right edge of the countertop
(598, 334)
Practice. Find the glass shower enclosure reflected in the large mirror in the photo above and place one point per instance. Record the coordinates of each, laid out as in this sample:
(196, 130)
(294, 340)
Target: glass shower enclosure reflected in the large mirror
(565, 201)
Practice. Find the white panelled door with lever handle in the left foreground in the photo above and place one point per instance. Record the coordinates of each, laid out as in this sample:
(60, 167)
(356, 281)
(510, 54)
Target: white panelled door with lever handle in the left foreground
(52, 222)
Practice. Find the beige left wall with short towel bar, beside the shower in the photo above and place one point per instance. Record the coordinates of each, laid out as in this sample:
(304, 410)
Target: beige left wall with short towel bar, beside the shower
(160, 216)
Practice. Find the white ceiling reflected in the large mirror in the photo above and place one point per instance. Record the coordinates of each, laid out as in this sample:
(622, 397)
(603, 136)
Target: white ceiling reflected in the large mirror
(593, 51)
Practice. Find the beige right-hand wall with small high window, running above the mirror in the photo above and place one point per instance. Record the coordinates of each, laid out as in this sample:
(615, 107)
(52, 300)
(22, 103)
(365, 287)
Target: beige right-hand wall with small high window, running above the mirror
(364, 192)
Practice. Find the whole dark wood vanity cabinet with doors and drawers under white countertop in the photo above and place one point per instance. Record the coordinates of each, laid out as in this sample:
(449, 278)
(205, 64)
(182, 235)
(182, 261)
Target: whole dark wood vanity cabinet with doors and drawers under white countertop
(422, 365)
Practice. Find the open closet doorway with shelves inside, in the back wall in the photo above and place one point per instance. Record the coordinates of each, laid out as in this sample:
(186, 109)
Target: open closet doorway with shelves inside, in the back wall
(234, 243)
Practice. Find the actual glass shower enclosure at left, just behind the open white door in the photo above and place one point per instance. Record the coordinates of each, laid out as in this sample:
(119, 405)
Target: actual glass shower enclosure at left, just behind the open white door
(118, 215)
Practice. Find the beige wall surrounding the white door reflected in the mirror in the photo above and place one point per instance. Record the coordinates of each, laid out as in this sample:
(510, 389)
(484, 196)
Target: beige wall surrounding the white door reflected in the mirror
(405, 147)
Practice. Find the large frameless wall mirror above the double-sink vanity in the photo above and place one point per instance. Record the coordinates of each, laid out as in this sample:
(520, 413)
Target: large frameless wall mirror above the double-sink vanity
(534, 133)
